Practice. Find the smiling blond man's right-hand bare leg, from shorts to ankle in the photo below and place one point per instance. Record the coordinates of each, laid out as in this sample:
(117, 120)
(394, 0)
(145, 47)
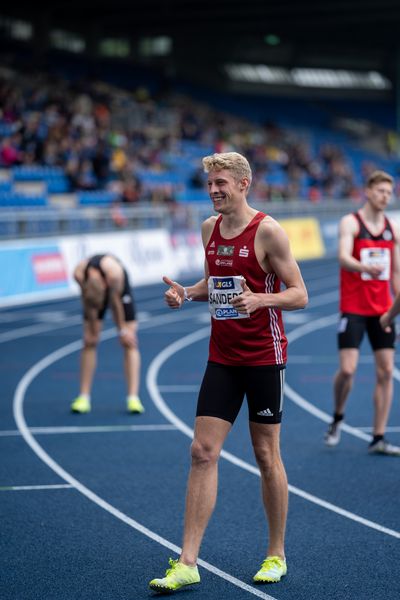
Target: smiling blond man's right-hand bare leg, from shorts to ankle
(274, 484)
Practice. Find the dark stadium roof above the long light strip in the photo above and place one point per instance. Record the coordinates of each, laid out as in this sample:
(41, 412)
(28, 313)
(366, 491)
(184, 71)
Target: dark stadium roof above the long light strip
(207, 35)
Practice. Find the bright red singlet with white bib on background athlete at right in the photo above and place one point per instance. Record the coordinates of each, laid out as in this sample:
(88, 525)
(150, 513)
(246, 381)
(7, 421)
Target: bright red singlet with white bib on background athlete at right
(359, 293)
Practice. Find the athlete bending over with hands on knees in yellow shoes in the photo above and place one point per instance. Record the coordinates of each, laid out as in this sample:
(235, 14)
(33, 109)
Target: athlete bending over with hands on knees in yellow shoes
(104, 281)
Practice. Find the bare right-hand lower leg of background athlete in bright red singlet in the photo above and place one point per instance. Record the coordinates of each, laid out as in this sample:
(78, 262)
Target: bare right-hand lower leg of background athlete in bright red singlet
(383, 393)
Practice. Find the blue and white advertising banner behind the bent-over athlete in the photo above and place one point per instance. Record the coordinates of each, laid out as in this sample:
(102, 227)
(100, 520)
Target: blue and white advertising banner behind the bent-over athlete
(38, 269)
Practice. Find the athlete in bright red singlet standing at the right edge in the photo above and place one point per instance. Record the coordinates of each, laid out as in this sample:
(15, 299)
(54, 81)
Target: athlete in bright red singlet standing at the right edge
(369, 261)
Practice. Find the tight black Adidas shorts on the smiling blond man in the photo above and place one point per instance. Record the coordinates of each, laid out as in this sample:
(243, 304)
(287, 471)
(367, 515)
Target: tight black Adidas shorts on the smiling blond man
(224, 387)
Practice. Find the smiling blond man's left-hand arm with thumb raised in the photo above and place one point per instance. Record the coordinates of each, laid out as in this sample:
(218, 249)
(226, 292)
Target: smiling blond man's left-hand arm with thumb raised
(176, 295)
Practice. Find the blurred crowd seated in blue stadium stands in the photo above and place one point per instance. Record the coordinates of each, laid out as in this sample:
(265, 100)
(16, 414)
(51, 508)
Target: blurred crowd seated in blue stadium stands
(149, 149)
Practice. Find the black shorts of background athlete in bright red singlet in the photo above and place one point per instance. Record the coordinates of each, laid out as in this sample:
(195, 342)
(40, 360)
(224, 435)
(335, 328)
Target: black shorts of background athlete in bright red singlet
(352, 328)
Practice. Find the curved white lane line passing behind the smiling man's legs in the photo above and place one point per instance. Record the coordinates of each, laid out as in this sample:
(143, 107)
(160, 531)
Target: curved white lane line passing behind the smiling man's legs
(151, 381)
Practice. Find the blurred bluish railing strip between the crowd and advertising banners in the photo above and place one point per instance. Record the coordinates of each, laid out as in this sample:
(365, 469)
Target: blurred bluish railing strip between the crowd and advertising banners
(16, 222)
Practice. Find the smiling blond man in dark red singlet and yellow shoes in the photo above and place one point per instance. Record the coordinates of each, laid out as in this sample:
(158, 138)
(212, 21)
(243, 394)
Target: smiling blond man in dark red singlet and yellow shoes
(247, 257)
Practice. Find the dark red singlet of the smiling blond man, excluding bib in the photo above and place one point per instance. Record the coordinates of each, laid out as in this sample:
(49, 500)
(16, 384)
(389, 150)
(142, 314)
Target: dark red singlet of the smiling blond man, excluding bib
(259, 339)
